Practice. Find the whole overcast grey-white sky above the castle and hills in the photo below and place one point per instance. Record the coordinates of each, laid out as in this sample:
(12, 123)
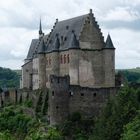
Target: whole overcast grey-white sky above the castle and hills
(19, 21)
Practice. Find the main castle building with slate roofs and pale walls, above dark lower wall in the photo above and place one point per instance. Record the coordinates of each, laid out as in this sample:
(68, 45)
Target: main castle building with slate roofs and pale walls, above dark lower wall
(69, 49)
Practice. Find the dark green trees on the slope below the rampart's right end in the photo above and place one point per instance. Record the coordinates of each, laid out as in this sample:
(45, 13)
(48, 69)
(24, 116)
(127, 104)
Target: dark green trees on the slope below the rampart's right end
(118, 112)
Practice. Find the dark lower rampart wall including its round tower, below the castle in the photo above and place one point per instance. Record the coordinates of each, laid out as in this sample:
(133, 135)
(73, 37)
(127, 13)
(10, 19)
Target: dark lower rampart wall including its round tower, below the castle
(65, 99)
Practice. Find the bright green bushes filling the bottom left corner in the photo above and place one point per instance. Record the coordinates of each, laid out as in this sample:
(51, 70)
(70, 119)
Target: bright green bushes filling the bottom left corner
(15, 125)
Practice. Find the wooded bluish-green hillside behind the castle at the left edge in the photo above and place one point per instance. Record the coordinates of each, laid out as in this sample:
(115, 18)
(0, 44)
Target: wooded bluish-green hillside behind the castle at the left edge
(9, 78)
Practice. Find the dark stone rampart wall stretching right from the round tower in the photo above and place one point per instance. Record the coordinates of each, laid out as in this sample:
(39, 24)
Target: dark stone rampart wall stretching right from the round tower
(89, 101)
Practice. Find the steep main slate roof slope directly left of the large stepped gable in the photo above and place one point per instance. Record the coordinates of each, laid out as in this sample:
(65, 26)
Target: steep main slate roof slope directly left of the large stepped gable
(65, 30)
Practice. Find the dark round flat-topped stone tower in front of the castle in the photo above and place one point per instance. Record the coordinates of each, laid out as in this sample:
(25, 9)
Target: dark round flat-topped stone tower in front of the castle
(59, 99)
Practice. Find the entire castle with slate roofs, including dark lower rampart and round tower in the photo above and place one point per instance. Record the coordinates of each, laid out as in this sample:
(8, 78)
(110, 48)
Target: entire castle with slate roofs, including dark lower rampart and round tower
(75, 64)
